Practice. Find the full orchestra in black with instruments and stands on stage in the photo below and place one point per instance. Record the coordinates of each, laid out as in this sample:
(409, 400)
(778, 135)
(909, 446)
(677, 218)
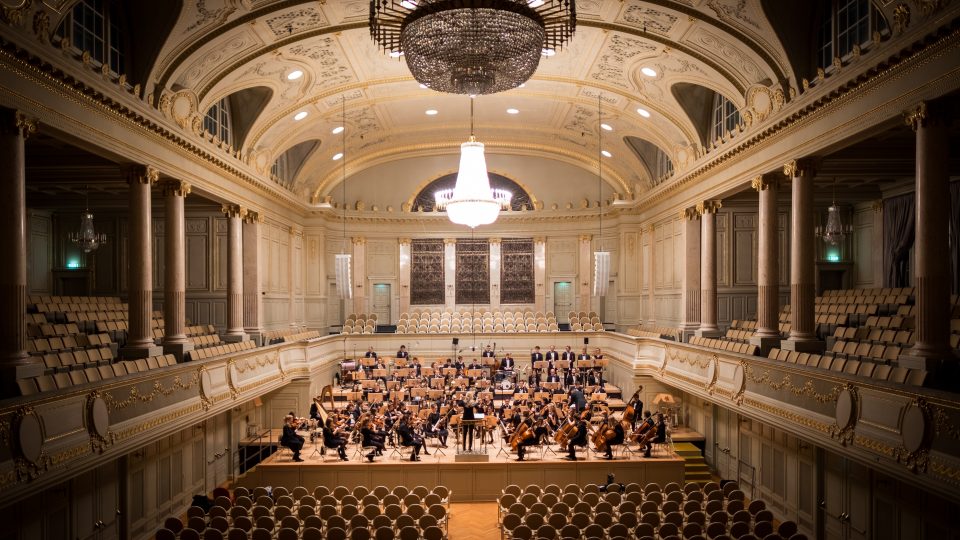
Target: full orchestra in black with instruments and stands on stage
(403, 402)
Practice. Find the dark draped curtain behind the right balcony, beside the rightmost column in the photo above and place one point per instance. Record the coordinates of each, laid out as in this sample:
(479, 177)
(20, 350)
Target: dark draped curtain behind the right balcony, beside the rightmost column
(898, 231)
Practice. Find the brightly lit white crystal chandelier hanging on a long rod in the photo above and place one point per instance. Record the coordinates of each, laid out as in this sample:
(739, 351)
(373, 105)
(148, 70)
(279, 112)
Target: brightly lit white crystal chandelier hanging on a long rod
(471, 202)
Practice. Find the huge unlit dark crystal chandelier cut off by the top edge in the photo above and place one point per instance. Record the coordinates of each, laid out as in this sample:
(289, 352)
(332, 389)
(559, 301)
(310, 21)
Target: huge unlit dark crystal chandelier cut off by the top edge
(472, 46)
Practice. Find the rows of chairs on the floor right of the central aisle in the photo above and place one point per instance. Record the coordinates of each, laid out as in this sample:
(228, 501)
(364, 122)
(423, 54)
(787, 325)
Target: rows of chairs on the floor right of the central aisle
(644, 513)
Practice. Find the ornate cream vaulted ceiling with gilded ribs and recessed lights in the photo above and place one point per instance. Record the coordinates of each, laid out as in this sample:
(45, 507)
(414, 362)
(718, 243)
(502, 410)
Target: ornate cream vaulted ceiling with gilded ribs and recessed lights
(219, 47)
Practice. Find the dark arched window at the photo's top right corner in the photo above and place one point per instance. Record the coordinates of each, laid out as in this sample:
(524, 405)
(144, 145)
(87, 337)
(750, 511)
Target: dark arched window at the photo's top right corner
(844, 24)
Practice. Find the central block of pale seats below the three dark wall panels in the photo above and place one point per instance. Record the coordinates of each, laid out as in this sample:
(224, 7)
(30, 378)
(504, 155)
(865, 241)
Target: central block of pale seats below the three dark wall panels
(451, 322)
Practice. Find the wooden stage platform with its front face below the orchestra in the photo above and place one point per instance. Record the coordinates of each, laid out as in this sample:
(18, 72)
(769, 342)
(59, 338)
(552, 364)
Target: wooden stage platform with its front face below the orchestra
(469, 481)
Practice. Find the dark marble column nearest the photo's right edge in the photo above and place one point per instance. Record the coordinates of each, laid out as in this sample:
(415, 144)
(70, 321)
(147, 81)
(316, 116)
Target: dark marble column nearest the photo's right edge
(931, 350)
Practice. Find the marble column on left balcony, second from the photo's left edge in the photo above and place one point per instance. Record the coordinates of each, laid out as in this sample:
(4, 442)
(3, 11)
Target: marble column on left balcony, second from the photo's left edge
(140, 264)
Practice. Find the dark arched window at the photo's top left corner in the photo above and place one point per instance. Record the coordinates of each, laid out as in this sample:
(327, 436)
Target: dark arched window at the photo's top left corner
(95, 26)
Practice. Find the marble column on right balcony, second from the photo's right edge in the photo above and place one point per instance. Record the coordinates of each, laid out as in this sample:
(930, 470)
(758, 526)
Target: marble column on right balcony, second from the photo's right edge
(803, 336)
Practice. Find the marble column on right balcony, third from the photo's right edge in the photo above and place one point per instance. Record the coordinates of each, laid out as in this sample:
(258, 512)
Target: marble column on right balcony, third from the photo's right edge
(767, 335)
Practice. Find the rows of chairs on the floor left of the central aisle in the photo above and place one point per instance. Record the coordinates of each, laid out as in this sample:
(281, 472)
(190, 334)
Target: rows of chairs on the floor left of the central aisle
(337, 514)
